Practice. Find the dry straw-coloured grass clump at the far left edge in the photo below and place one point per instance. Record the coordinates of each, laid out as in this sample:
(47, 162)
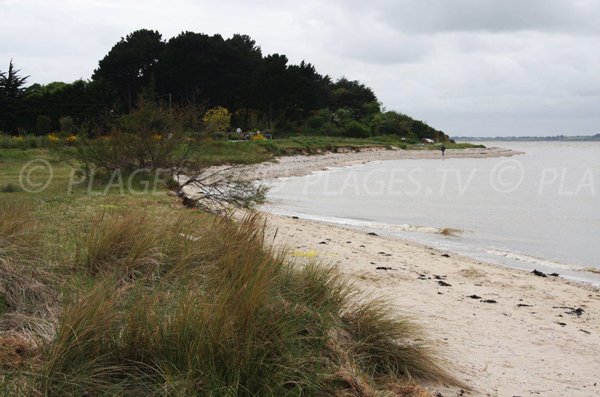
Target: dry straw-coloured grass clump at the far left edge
(28, 299)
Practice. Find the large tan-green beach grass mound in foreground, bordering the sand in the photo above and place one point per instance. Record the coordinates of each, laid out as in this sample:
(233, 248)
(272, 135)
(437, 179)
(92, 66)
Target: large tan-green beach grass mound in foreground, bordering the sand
(212, 310)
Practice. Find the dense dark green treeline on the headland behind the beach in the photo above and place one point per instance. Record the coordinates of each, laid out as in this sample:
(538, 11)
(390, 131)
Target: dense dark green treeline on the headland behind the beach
(197, 71)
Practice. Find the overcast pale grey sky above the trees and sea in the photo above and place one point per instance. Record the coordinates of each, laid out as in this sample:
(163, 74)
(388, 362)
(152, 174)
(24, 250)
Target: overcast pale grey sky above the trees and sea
(468, 67)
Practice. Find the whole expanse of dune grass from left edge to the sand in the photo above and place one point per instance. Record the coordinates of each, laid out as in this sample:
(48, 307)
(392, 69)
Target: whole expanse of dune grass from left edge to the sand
(135, 295)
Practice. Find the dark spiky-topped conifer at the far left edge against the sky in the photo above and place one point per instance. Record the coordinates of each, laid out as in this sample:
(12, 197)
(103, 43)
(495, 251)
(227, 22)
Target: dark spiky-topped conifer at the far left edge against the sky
(12, 91)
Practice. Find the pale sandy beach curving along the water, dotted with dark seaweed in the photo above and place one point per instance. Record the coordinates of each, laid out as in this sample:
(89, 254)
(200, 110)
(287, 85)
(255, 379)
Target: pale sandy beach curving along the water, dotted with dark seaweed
(504, 332)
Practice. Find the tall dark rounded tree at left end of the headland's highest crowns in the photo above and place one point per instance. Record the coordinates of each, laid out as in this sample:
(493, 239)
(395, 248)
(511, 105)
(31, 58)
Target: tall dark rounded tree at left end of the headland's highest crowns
(129, 65)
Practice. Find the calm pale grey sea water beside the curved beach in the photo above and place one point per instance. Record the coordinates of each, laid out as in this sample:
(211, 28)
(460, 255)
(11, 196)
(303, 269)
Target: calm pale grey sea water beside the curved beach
(539, 210)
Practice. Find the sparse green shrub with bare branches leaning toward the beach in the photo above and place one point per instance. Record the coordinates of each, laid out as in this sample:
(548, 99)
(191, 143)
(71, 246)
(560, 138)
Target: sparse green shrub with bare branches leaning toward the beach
(151, 138)
